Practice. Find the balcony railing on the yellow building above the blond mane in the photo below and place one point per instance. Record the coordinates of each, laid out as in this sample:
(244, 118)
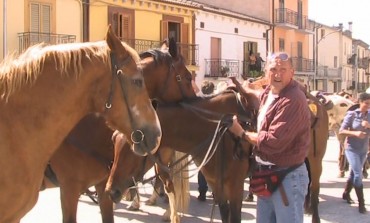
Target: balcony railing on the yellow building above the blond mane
(28, 39)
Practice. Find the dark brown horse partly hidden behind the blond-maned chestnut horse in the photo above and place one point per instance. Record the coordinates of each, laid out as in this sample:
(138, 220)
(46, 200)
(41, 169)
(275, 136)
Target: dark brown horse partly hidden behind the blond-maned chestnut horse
(85, 156)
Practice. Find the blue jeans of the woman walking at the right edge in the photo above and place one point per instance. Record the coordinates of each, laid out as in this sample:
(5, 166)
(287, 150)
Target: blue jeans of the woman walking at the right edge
(356, 162)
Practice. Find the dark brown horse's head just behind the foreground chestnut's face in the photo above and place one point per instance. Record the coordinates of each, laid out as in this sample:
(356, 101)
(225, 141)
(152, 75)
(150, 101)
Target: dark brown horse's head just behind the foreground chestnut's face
(166, 75)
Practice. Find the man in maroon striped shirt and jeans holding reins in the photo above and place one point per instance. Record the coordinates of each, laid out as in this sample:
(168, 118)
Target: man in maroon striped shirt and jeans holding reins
(282, 140)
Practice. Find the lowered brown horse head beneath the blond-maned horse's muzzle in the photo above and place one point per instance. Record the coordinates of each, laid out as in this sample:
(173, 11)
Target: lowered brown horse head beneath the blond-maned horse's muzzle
(126, 167)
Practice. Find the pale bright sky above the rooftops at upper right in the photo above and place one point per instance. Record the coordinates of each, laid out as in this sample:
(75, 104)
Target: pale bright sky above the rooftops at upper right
(333, 12)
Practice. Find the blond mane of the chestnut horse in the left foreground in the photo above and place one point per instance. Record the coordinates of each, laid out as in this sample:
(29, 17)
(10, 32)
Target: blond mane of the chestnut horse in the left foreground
(18, 71)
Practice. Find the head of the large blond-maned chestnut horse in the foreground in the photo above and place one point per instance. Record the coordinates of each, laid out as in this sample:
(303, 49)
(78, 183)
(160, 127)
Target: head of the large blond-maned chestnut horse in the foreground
(141, 125)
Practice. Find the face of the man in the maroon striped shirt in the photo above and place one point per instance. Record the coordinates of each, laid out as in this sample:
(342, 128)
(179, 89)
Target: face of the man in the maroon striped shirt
(279, 74)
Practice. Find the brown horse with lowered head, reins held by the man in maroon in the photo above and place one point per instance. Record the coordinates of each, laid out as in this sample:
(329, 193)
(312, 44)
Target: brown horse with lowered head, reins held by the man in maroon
(190, 127)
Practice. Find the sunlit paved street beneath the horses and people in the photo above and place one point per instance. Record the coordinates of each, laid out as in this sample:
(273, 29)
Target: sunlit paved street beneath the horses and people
(332, 208)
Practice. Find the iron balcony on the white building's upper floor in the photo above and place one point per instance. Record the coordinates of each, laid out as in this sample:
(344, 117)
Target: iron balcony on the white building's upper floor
(216, 68)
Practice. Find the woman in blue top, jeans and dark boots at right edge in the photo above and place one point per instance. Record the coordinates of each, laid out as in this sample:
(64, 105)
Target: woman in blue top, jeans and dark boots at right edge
(356, 128)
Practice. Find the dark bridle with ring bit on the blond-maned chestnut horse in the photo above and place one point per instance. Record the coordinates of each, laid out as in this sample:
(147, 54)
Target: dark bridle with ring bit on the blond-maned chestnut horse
(137, 136)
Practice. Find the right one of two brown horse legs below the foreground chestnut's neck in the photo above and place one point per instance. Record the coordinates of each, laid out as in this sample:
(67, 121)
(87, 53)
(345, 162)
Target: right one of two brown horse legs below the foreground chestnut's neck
(105, 203)
